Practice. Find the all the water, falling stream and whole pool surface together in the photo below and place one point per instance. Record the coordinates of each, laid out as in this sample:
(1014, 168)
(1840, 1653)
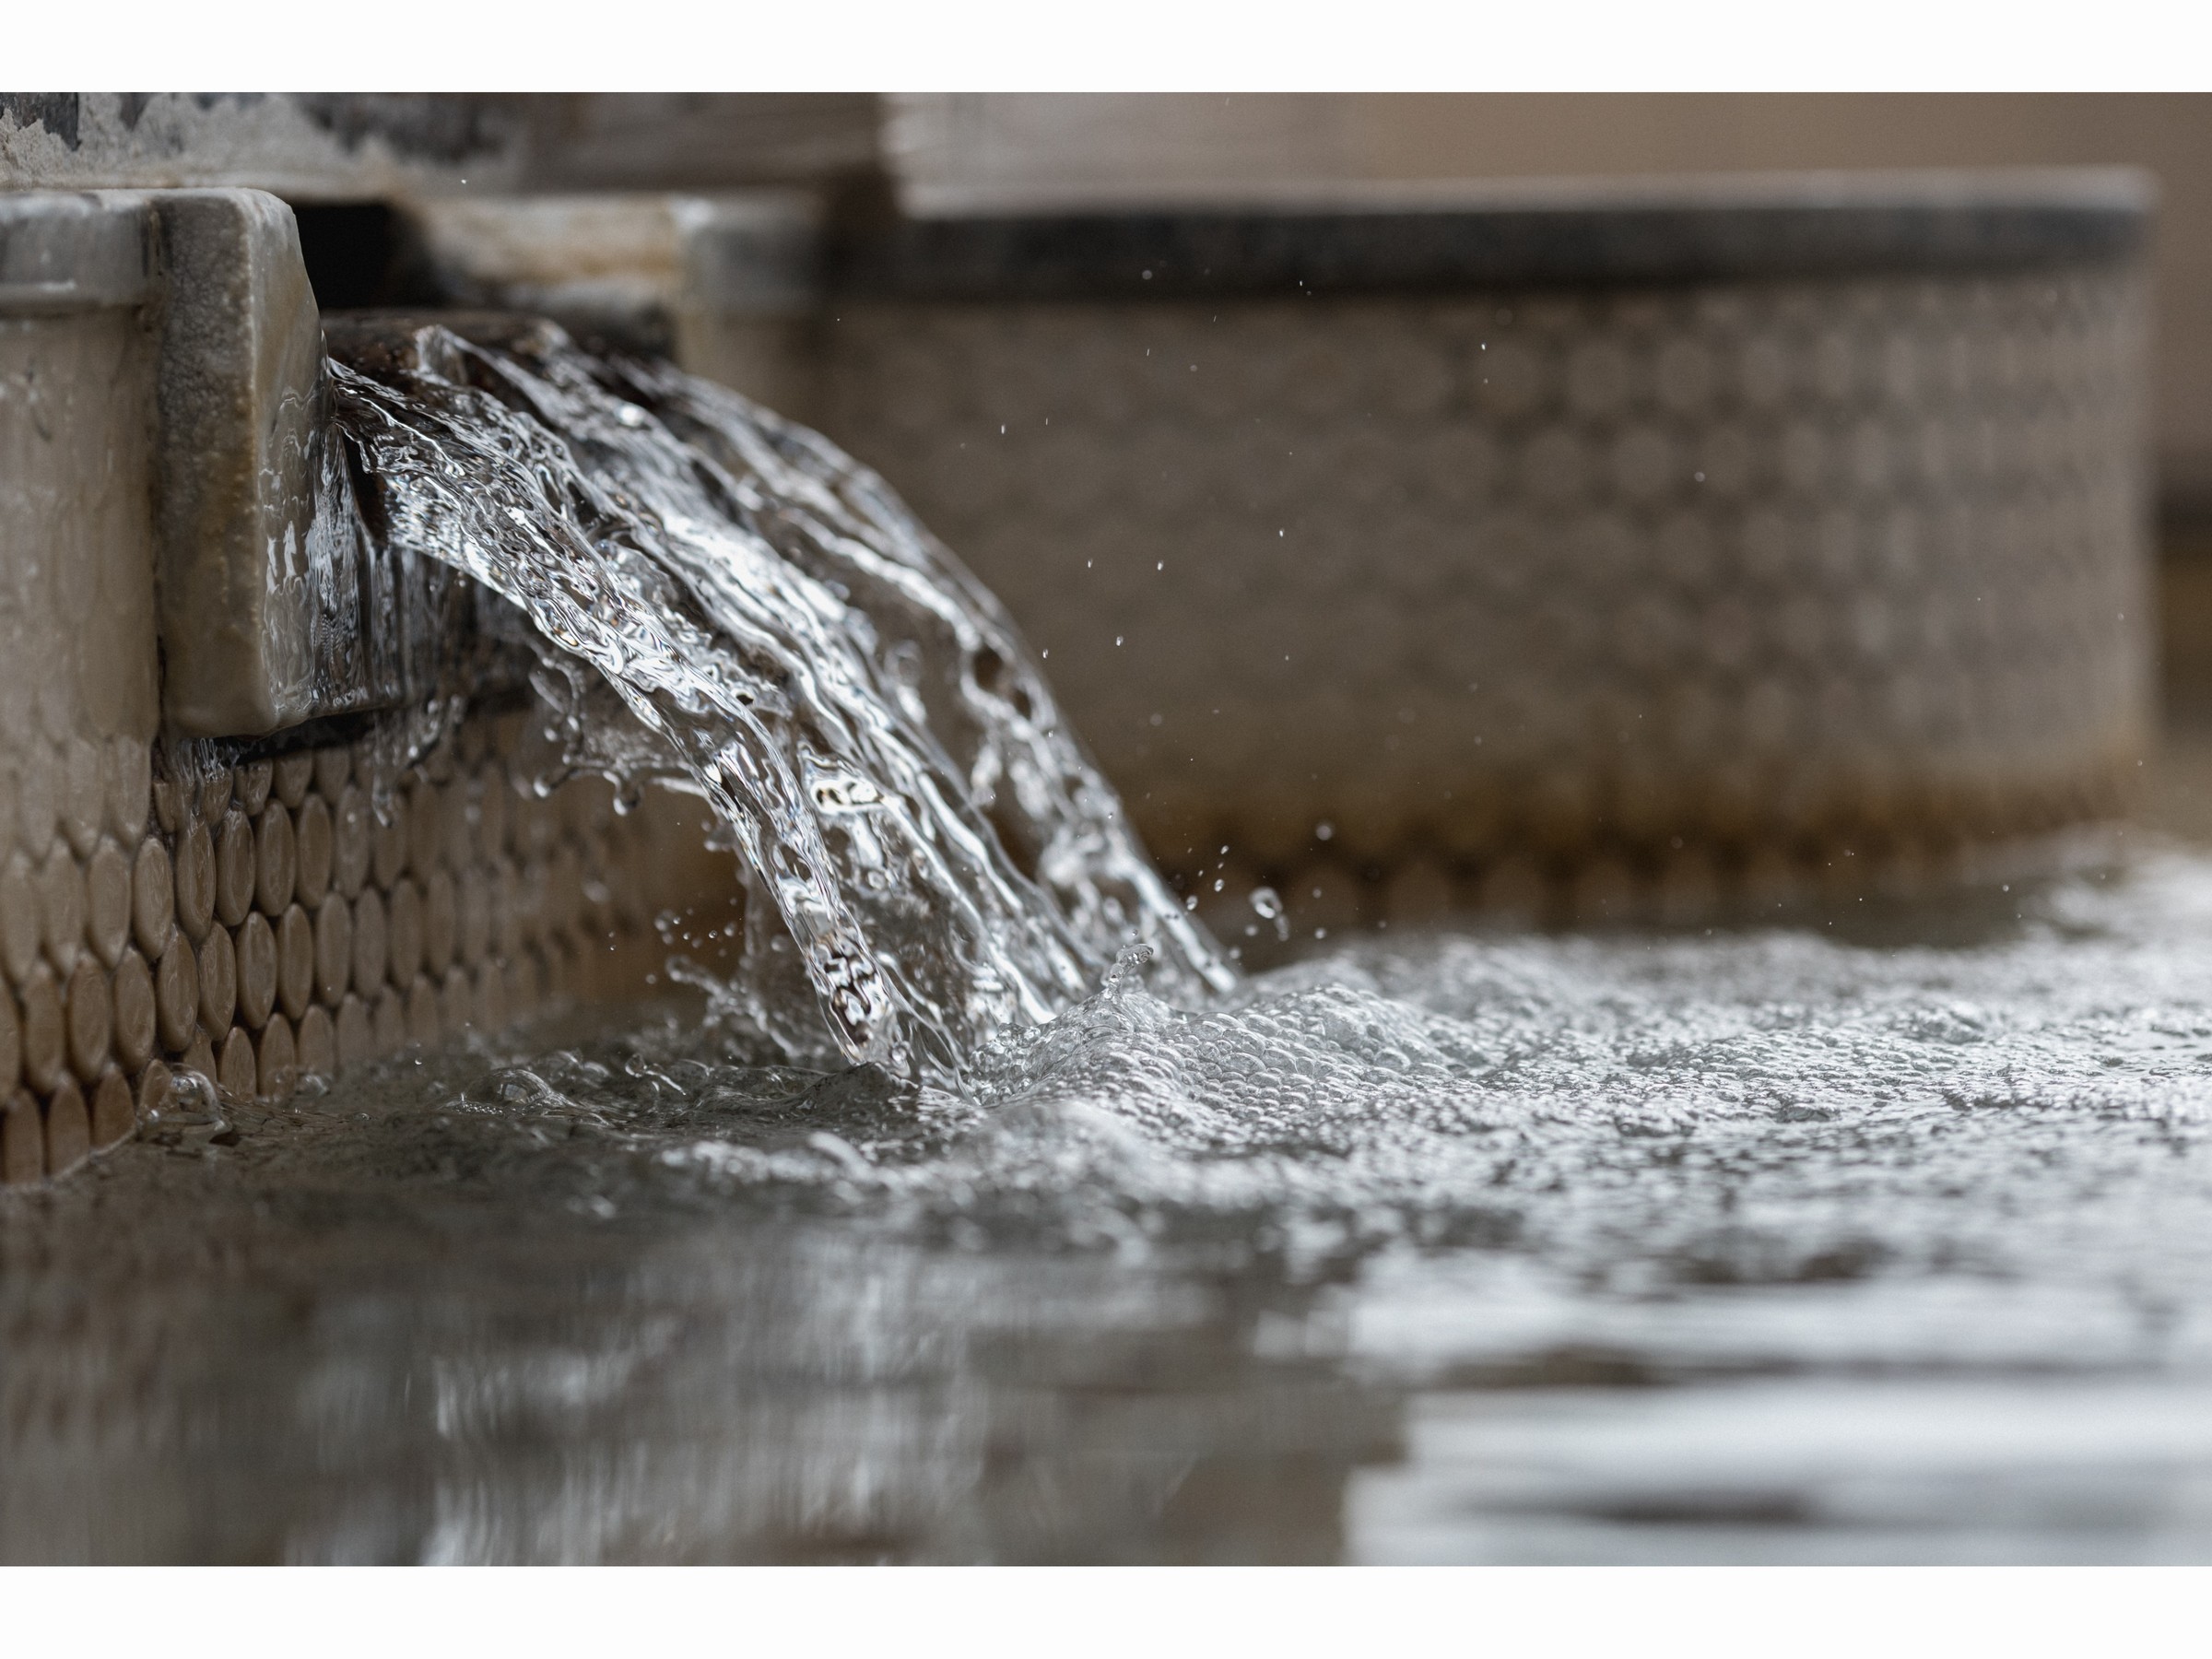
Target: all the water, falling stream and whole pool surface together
(961, 1233)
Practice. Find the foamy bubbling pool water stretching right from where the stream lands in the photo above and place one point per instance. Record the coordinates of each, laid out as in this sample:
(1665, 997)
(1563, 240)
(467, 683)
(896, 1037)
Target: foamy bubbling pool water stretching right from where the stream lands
(1638, 1118)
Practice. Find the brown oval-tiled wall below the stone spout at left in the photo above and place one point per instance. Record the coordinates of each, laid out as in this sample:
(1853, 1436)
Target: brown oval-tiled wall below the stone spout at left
(269, 924)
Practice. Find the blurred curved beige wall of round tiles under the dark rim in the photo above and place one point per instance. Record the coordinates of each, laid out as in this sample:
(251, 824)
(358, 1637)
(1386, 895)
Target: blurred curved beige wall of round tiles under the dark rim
(1614, 603)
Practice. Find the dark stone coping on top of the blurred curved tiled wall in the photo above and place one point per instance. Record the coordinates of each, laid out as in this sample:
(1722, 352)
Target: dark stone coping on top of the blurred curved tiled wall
(1532, 236)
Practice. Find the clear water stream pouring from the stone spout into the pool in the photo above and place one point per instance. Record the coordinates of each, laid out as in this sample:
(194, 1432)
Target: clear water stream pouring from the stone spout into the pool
(857, 709)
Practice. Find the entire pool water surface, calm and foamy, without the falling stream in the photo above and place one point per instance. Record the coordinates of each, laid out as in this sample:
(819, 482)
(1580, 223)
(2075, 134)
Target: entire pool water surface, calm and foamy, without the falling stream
(1802, 1244)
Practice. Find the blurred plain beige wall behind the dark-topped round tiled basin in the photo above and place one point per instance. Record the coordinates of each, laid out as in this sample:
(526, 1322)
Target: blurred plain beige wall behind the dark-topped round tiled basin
(1063, 147)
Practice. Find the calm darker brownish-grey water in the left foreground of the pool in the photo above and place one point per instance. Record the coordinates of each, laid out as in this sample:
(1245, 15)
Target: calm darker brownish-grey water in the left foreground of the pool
(426, 1350)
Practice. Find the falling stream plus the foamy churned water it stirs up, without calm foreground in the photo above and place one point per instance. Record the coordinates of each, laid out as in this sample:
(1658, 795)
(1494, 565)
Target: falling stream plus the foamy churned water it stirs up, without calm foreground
(1691, 1112)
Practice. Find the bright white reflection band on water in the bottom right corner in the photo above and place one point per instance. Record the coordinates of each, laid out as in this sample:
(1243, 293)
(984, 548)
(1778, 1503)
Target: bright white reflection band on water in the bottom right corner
(1802, 1472)
